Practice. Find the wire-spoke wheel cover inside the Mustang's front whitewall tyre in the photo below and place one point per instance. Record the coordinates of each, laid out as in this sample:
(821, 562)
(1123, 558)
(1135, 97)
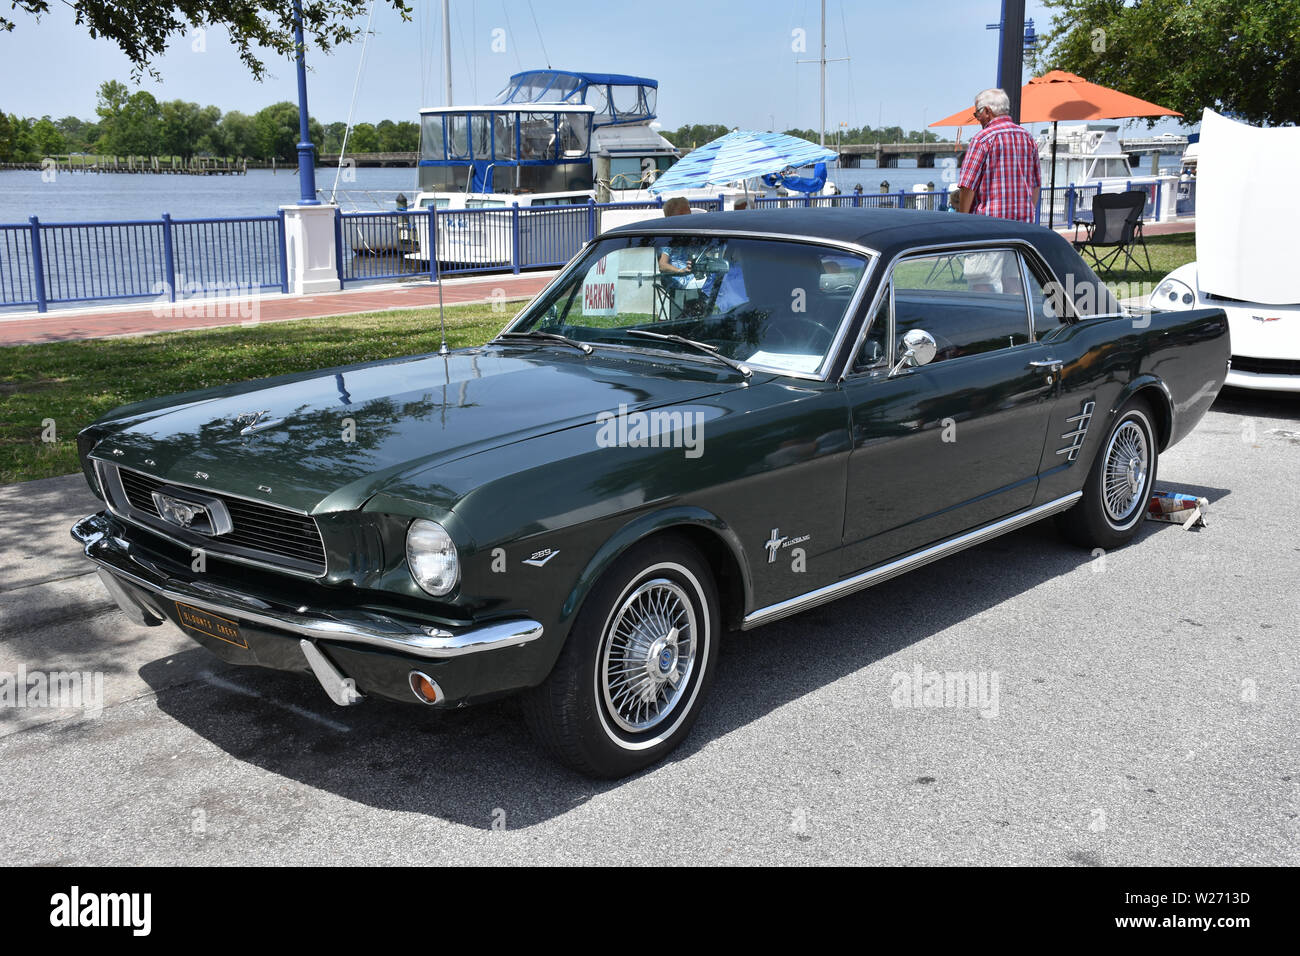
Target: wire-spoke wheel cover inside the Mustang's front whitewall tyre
(648, 655)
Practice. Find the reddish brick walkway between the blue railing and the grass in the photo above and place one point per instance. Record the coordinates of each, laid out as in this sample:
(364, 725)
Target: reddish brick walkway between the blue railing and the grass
(60, 327)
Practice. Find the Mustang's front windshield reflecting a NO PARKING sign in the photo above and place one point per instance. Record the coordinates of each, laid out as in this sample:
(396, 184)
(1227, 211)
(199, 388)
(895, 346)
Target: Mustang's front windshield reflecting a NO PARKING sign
(766, 302)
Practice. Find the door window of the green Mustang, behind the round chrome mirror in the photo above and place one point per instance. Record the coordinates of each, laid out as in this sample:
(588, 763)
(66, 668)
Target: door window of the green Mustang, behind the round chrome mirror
(972, 302)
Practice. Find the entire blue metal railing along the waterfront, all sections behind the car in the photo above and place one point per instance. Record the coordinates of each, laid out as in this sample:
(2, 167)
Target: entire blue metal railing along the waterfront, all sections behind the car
(44, 263)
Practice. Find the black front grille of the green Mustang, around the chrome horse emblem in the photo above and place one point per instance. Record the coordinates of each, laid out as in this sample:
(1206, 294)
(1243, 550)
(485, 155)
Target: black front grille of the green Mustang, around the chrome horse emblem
(275, 534)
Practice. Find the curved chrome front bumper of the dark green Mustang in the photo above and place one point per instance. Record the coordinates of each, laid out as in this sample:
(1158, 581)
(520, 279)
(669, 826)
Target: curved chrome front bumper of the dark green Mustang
(120, 565)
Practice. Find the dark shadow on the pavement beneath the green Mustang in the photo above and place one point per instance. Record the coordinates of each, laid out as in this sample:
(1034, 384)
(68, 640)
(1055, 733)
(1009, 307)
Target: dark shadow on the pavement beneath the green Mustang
(467, 767)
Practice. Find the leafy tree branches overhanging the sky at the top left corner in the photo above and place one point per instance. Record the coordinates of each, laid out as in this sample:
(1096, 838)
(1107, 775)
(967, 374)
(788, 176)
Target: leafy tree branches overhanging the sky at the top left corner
(142, 29)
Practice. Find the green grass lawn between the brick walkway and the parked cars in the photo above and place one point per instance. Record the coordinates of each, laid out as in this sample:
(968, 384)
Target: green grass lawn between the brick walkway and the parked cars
(75, 383)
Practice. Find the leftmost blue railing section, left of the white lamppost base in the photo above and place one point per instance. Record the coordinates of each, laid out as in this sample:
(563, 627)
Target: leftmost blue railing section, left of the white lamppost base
(44, 263)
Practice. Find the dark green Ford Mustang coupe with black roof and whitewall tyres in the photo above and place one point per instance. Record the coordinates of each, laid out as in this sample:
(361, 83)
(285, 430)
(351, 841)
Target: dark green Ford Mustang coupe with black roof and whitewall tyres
(704, 423)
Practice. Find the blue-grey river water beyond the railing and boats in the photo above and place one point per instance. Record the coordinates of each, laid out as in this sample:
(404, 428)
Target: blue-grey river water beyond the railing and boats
(114, 197)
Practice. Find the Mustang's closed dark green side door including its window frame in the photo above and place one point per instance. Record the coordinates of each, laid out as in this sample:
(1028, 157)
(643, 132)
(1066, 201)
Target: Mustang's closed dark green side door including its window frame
(955, 444)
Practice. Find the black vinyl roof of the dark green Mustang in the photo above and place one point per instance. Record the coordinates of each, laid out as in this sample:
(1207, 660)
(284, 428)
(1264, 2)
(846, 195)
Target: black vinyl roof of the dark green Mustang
(891, 232)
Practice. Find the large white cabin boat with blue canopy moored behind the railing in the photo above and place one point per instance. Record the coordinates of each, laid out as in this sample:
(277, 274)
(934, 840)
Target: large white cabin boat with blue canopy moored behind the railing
(552, 139)
